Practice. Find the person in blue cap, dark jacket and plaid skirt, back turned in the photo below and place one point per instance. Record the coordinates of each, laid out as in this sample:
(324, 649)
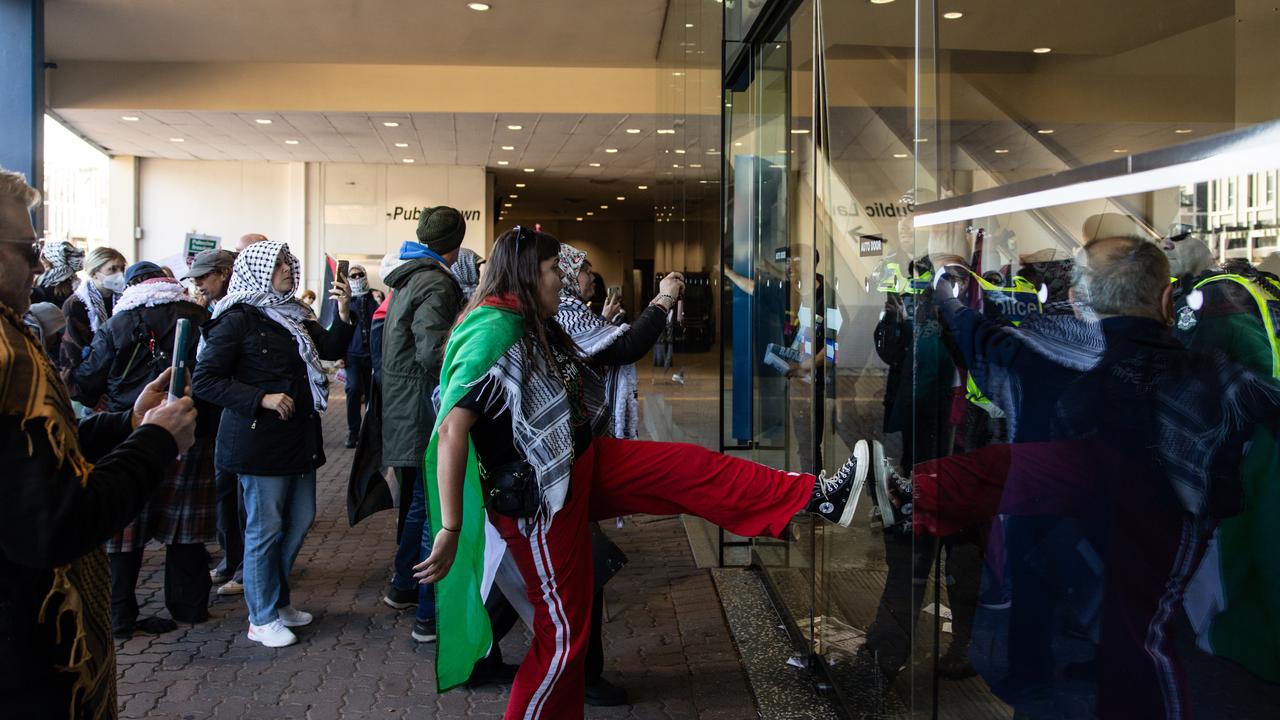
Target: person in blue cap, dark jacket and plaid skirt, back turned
(131, 350)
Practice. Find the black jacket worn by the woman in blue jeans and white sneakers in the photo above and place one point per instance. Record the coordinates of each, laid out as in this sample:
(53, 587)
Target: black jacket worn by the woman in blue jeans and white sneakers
(246, 357)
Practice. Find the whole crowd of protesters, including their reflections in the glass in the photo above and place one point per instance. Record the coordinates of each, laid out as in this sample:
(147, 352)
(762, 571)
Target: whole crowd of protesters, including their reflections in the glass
(506, 411)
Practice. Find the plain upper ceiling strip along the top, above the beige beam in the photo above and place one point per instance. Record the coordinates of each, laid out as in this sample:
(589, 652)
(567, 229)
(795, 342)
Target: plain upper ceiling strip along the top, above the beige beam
(429, 33)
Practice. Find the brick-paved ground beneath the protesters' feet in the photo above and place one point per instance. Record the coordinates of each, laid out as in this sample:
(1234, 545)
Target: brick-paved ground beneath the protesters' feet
(668, 641)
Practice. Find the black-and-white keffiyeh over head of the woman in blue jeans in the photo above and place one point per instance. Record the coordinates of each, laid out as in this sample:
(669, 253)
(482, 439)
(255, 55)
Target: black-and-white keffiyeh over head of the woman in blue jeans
(252, 285)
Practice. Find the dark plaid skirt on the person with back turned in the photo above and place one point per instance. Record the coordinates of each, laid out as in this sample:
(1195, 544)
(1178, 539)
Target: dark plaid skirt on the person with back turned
(182, 511)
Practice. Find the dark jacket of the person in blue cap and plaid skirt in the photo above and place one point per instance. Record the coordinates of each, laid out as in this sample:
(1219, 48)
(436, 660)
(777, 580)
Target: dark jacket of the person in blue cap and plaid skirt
(131, 350)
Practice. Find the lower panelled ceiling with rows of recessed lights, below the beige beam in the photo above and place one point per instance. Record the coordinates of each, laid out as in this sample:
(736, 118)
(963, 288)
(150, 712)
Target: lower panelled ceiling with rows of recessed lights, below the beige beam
(559, 148)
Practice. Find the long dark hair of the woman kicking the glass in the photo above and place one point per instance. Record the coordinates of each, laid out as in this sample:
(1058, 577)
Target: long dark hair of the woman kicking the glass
(513, 272)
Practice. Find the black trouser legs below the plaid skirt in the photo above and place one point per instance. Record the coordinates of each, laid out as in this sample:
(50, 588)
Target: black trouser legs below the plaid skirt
(186, 585)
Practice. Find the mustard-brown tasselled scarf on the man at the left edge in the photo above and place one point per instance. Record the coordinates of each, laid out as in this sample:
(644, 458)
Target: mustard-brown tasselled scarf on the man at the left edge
(31, 391)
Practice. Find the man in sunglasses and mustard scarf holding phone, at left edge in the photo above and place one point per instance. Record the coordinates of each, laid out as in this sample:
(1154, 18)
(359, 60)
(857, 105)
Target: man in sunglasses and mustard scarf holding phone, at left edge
(65, 491)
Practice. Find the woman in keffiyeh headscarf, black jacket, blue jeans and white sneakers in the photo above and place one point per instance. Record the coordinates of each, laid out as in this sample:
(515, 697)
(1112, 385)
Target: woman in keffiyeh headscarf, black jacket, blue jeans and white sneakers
(262, 364)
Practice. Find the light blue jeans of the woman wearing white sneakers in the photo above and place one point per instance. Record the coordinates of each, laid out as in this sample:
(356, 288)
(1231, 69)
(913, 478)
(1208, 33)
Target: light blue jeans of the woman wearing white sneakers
(280, 512)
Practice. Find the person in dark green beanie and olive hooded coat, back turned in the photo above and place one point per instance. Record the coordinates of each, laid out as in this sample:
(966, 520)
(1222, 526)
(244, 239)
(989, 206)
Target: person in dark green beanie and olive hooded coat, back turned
(426, 302)
